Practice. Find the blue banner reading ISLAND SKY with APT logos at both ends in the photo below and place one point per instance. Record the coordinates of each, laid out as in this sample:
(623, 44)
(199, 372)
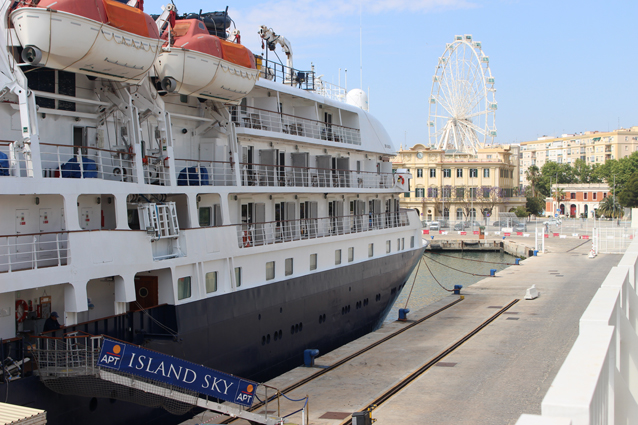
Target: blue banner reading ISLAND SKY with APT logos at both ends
(171, 370)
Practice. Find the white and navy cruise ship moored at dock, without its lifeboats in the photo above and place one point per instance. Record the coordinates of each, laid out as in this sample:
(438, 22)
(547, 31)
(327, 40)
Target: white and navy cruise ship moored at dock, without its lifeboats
(231, 232)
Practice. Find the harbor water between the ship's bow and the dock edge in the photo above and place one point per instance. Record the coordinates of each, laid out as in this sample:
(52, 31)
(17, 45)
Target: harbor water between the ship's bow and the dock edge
(426, 290)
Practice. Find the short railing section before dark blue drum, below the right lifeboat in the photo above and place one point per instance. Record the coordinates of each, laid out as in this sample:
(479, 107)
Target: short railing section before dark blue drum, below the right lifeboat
(191, 172)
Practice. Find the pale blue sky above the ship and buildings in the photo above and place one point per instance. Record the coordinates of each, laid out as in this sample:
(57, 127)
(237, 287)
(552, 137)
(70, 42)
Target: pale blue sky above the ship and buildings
(561, 66)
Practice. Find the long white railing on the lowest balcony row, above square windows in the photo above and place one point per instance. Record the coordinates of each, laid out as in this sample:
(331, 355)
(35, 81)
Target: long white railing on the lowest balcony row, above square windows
(272, 232)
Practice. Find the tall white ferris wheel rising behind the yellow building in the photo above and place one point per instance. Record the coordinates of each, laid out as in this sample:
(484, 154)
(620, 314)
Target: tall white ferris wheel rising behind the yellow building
(462, 102)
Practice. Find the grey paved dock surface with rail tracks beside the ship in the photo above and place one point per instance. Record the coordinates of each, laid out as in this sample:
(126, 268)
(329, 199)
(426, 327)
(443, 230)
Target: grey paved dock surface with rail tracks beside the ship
(498, 374)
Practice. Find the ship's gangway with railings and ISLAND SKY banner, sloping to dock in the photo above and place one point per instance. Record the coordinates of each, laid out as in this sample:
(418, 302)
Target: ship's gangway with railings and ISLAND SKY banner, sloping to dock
(101, 366)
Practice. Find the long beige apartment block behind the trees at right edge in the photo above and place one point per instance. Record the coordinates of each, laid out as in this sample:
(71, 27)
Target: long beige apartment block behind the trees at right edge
(594, 147)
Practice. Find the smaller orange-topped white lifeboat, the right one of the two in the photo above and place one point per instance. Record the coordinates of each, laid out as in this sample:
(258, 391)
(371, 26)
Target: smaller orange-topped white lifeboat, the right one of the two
(203, 65)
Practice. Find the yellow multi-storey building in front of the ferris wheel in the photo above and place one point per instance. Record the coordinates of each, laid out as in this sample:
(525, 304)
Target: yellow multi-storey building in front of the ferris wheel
(461, 186)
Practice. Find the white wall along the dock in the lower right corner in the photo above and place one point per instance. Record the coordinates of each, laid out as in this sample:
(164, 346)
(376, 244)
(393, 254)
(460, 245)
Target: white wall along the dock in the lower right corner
(598, 383)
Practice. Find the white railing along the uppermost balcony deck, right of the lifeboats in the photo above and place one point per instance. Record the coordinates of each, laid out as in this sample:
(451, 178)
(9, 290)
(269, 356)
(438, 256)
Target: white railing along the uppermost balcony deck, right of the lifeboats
(279, 122)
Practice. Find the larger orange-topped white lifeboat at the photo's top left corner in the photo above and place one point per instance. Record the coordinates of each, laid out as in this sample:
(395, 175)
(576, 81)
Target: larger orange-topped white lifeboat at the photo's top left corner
(101, 38)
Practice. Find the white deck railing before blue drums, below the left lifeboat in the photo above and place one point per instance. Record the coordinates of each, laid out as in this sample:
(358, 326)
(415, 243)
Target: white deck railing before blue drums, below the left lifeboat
(66, 161)
